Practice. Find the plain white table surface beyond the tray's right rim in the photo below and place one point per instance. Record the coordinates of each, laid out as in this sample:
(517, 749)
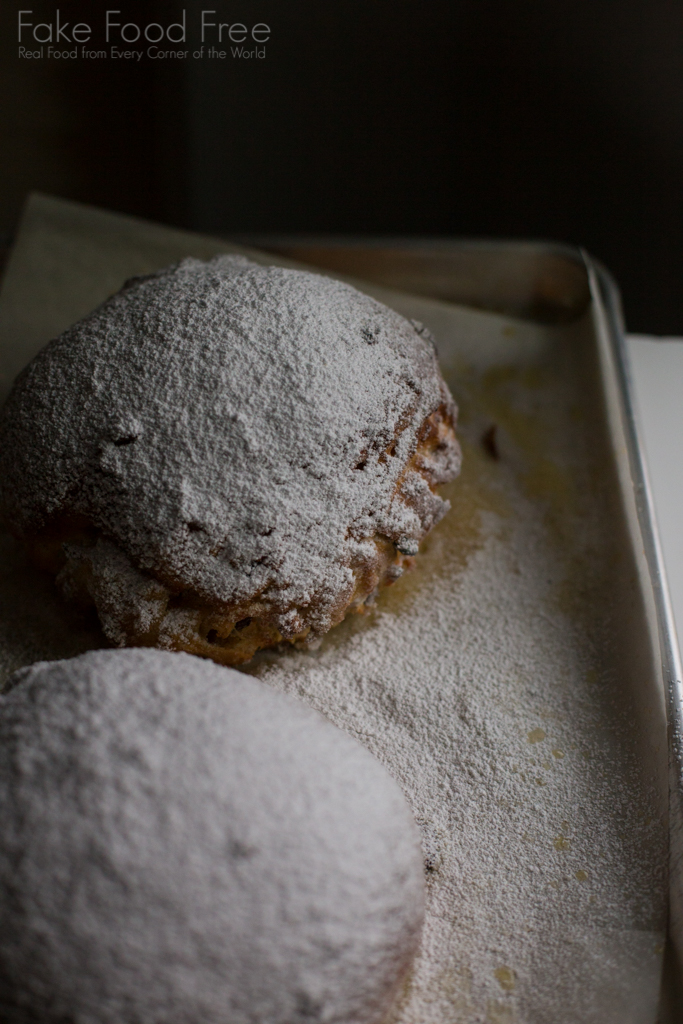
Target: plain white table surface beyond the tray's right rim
(657, 367)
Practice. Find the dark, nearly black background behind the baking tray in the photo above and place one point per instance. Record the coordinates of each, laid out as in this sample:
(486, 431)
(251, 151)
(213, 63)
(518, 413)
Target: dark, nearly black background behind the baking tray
(559, 120)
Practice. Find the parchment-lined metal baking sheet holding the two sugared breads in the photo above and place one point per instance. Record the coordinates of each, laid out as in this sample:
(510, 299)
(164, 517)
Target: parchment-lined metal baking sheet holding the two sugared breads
(552, 628)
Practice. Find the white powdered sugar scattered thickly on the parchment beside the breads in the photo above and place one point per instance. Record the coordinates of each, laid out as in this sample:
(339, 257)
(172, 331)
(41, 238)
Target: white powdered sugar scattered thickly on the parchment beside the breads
(527, 866)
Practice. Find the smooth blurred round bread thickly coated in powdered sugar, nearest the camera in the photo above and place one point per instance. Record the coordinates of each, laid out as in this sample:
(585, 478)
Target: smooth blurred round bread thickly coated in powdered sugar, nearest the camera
(183, 844)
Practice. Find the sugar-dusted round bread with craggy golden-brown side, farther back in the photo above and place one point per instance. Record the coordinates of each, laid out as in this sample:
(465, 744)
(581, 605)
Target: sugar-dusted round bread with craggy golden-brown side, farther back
(225, 456)
